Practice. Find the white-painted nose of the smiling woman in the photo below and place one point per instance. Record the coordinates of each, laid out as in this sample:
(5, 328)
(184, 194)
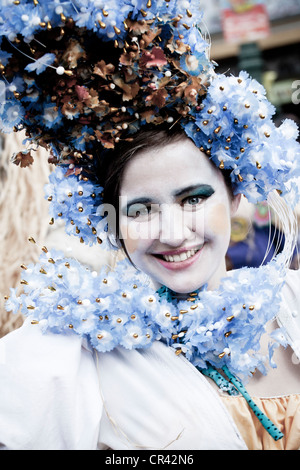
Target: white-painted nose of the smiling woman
(174, 225)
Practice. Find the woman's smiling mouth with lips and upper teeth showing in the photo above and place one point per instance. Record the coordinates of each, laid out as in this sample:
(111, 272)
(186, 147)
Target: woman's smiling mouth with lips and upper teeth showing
(175, 259)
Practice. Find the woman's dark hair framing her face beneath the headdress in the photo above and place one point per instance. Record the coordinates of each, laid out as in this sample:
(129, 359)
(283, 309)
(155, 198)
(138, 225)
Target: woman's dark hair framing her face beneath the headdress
(112, 167)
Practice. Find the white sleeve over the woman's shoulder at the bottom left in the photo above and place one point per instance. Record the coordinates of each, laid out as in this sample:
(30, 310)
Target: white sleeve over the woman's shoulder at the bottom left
(49, 391)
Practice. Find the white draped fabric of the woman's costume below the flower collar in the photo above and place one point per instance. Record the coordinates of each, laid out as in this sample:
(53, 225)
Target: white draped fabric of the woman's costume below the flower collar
(57, 393)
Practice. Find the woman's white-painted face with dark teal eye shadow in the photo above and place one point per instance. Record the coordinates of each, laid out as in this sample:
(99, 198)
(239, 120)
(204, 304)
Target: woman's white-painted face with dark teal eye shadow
(175, 215)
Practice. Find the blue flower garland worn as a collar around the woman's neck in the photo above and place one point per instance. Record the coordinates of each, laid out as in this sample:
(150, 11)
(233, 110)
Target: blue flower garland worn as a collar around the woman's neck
(120, 308)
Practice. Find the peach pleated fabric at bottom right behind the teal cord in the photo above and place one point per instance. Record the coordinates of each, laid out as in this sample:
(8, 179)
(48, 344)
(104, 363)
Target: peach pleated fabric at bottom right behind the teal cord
(284, 412)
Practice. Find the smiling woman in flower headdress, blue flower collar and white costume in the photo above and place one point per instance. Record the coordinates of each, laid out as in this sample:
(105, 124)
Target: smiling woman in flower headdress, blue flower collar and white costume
(153, 151)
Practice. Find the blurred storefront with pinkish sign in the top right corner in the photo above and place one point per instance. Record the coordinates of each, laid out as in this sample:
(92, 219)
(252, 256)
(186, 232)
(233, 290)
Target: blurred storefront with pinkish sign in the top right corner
(267, 47)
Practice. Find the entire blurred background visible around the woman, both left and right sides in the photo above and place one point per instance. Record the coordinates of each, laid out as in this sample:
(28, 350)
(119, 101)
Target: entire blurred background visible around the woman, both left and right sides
(262, 38)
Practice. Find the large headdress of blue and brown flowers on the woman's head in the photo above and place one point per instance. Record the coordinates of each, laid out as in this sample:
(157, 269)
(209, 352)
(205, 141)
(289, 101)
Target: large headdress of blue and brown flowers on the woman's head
(82, 75)
